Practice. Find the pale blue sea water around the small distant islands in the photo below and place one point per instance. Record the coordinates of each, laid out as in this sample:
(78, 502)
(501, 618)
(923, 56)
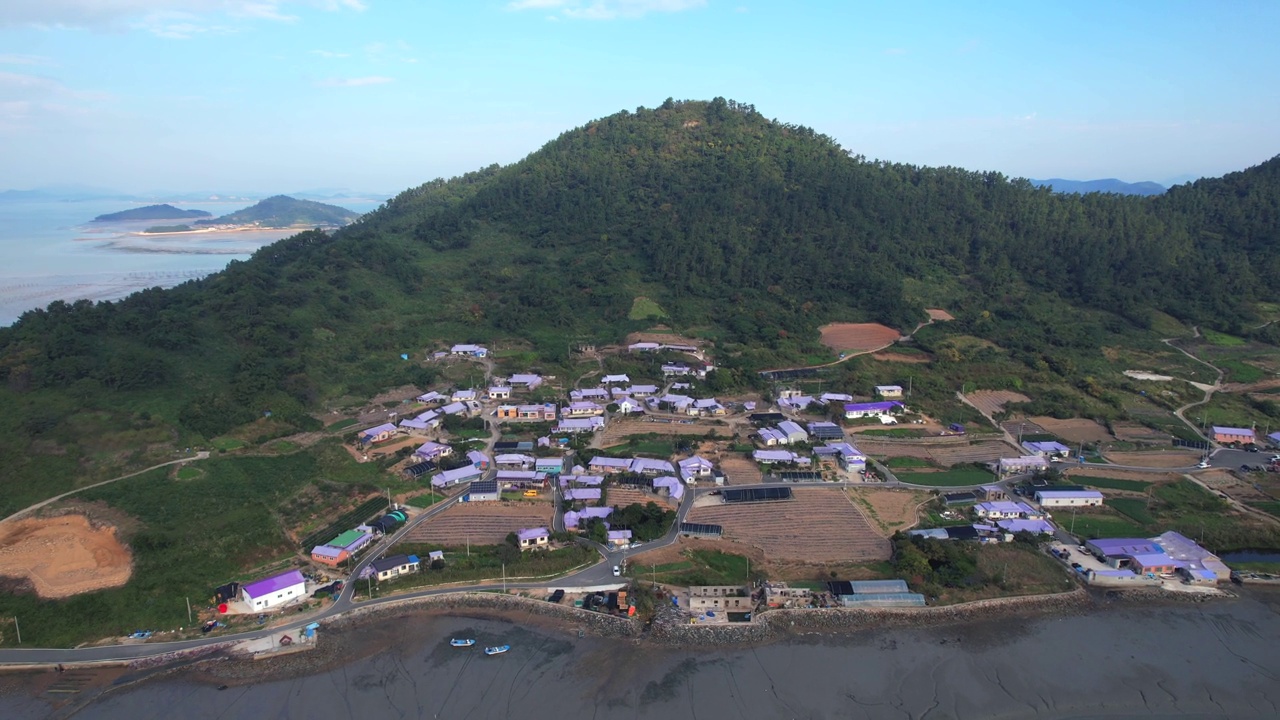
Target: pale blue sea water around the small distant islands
(53, 250)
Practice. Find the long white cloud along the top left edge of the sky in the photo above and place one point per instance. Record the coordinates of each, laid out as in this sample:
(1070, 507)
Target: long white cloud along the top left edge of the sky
(158, 16)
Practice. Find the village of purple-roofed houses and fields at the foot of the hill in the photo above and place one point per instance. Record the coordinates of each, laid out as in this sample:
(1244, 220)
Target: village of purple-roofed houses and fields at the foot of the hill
(624, 494)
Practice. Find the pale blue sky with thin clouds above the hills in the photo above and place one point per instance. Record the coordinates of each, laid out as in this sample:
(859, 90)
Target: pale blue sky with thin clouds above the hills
(277, 95)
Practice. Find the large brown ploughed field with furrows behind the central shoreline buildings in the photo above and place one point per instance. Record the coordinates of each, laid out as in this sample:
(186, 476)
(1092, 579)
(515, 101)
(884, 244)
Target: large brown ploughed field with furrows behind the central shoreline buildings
(820, 526)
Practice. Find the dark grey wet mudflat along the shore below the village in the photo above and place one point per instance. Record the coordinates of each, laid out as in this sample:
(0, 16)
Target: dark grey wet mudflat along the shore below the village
(1215, 659)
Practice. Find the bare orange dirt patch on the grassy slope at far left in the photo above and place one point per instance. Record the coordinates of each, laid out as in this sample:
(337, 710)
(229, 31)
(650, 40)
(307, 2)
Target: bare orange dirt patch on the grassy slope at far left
(63, 557)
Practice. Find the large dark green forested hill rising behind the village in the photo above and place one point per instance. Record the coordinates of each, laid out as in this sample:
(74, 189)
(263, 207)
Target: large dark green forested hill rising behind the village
(749, 231)
